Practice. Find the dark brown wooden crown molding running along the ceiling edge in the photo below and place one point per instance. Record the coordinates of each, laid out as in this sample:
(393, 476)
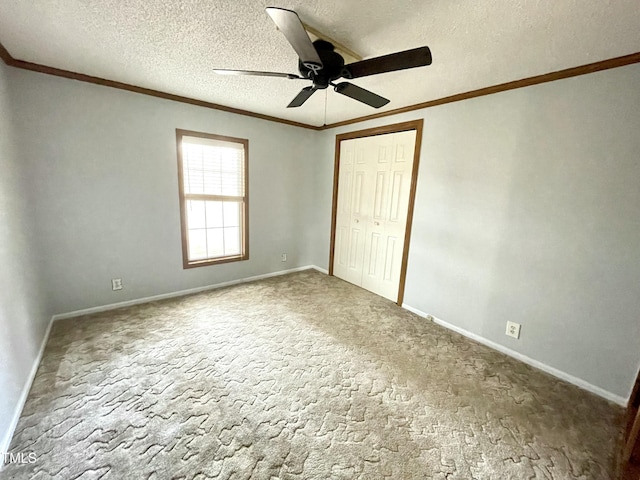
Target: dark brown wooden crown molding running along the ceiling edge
(503, 87)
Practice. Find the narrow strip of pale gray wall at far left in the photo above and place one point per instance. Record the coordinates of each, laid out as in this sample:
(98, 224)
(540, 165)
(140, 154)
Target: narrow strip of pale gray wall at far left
(23, 307)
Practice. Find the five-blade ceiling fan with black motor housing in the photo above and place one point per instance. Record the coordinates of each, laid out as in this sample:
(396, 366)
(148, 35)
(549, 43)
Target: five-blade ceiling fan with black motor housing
(322, 65)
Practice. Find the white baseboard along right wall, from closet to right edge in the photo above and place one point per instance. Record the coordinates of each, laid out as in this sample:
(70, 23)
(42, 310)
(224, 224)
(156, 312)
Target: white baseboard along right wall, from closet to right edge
(525, 359)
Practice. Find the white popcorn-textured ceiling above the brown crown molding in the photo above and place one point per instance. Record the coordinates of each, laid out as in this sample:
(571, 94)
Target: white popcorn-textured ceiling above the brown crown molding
(172, 45)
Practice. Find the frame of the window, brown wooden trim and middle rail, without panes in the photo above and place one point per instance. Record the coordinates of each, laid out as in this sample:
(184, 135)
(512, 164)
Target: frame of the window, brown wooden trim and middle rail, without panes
(244, 210)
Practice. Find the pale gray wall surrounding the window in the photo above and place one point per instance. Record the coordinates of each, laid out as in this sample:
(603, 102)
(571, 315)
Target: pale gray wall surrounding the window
(102, 163)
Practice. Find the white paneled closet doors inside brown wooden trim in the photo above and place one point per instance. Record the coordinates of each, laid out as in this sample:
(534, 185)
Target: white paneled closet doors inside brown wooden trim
(373, 200)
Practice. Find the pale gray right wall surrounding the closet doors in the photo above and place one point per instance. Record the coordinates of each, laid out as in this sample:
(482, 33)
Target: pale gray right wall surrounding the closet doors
(528, 209)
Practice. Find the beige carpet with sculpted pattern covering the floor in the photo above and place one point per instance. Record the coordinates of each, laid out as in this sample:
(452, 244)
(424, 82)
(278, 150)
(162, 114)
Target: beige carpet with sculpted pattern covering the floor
(298, 377)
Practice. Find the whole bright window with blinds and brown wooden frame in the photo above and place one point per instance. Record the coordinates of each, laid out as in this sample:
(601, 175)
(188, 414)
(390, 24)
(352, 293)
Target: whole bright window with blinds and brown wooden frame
(212, 174)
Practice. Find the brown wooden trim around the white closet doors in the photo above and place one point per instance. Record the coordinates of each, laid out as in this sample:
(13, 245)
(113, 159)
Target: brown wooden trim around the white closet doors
(371, 132)
